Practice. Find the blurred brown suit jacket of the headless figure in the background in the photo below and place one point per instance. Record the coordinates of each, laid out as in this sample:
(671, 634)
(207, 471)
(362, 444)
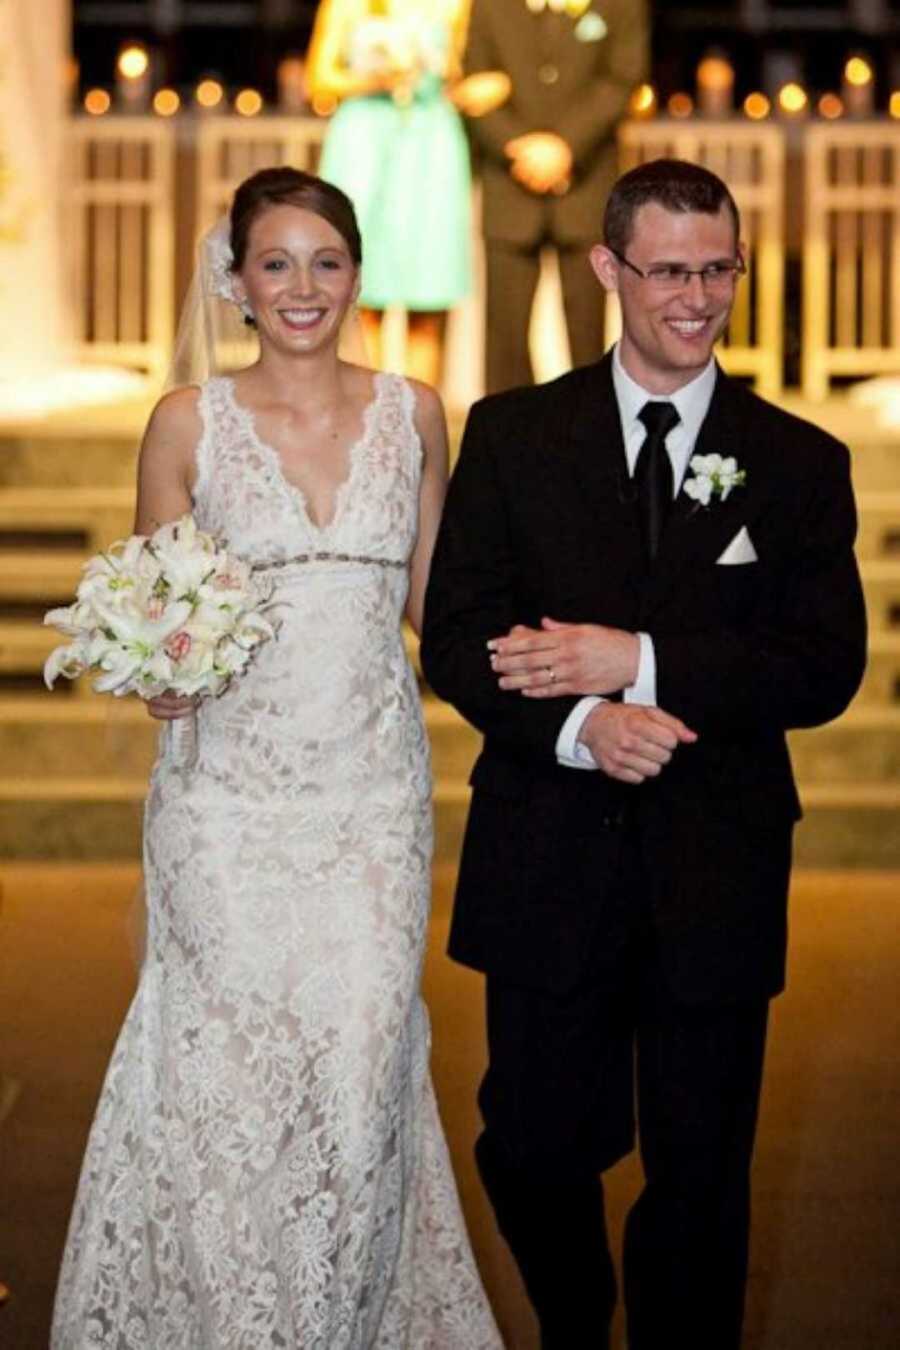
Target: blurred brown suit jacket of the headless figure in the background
(592, 79)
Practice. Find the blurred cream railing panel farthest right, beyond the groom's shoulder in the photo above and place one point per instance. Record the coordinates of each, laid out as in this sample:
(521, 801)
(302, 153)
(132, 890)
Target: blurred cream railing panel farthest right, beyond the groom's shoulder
(851, 253)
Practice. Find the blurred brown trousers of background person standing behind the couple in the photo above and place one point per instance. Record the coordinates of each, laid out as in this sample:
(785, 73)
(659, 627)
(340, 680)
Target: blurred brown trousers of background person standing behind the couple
(512, 281)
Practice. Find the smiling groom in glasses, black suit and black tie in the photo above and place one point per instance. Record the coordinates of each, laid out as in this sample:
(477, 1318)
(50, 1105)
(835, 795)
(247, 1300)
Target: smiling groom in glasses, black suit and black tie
(644, 577)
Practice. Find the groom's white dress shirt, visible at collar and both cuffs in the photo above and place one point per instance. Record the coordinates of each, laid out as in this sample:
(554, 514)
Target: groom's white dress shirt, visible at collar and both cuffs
(693, 404)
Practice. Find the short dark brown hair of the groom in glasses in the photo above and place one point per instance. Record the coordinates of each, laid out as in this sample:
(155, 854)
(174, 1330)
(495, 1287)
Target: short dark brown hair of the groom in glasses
(674, 184)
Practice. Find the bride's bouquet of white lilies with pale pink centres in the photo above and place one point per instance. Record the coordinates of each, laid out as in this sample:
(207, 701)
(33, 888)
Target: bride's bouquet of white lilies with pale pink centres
(172, 612)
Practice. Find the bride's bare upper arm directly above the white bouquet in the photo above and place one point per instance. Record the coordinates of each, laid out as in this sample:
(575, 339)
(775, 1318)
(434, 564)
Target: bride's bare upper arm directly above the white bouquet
(167, 462)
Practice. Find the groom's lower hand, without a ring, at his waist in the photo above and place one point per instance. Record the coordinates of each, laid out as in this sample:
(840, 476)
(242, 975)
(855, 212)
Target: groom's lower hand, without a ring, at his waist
(631, 742)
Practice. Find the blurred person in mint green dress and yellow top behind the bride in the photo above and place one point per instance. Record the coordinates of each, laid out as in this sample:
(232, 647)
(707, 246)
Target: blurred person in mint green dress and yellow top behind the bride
(396, 145)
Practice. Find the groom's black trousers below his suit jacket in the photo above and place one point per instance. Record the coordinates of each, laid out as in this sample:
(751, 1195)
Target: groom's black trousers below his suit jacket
(558, 1102)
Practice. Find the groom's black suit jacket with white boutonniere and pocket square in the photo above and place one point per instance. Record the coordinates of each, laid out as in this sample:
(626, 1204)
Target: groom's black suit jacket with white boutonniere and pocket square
(540, 520)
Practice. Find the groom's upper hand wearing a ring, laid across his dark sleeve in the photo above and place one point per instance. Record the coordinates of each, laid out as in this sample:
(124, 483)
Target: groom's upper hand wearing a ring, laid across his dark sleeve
(565, 659)
